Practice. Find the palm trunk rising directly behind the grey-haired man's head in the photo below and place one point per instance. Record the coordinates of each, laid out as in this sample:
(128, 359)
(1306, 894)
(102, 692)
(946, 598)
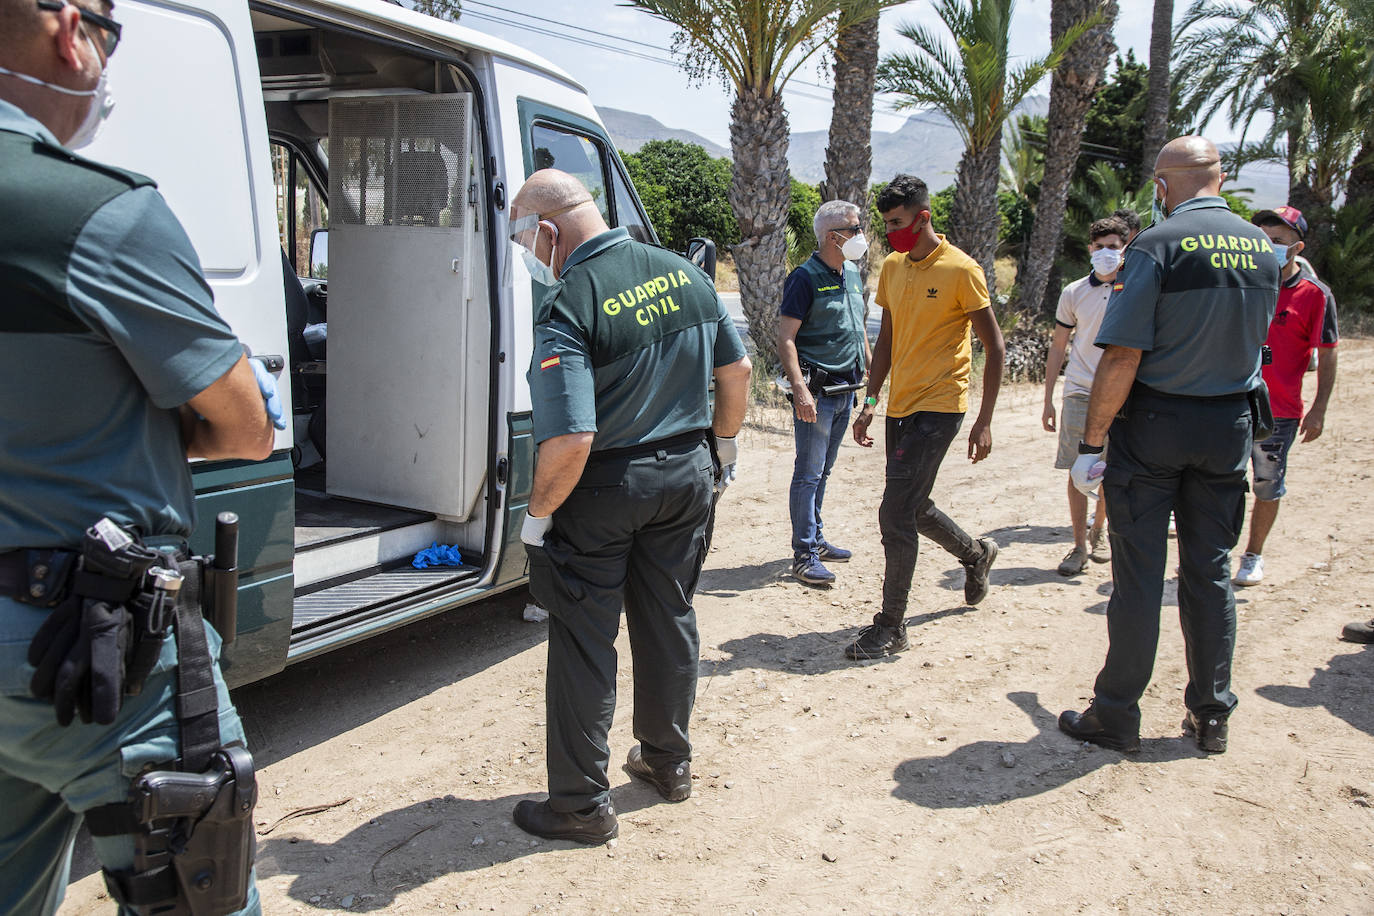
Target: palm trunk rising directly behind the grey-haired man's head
(850, 152)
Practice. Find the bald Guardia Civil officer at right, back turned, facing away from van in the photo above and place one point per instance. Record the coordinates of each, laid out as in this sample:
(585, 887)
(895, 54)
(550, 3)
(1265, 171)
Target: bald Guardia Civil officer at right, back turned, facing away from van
(1181, 374)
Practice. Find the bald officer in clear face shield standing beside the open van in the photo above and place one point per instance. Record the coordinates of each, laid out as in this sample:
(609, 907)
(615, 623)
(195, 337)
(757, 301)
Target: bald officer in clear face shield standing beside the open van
(627, 343)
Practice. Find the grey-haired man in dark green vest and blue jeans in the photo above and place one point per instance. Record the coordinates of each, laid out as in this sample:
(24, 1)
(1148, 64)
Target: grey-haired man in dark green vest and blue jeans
(822, 344)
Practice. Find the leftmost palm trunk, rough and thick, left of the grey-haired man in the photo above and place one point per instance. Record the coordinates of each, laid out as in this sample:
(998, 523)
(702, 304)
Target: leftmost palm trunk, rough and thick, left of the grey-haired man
(761, 193)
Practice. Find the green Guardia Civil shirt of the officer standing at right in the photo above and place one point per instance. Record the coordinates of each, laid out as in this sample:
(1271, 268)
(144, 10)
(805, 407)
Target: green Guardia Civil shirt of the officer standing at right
(1196, 295)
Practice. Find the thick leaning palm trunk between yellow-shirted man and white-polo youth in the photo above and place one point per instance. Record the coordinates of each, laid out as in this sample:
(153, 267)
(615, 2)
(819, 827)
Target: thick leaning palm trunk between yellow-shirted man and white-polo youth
(1071, 94)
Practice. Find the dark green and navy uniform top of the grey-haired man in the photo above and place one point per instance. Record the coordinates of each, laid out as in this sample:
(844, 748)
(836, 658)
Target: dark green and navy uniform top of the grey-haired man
(831, 307)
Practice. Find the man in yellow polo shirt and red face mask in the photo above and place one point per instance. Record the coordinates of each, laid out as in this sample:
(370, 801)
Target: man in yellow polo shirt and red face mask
(931, 295)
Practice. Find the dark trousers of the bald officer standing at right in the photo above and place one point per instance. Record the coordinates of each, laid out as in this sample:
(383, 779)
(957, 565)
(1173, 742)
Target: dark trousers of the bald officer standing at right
(1188, 457)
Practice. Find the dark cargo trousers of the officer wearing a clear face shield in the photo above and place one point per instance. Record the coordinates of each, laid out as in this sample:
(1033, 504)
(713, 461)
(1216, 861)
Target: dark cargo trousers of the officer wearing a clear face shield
(633, 535)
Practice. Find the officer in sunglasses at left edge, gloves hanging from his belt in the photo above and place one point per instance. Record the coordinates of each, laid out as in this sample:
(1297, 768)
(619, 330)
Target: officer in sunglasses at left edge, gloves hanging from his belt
(115, 369)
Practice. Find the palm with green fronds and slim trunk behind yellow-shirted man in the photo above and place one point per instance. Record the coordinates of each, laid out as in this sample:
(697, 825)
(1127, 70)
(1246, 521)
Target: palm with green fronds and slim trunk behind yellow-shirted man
(973, 89)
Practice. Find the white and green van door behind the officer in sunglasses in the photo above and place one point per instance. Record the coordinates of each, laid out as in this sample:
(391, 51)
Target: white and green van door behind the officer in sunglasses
(193, 69)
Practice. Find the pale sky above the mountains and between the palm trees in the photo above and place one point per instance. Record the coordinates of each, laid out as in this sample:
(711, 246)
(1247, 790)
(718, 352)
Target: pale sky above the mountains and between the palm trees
(663, 90)
